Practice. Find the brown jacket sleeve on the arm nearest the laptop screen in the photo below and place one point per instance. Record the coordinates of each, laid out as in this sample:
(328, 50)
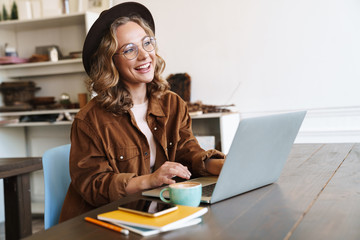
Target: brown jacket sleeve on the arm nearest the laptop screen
(189, 152)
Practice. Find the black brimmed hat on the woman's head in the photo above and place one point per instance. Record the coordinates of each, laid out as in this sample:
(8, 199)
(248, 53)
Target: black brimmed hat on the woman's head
(103, 23)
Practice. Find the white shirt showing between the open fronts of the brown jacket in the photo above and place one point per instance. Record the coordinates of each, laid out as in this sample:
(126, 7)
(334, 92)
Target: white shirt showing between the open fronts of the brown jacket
(139, 111)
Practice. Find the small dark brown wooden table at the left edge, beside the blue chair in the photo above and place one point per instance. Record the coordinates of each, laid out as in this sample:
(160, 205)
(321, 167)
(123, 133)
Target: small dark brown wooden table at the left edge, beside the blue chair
(16, 175)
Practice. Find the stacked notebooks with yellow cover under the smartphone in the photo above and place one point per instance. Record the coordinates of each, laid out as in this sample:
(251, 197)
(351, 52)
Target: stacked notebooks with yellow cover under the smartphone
(184, 216)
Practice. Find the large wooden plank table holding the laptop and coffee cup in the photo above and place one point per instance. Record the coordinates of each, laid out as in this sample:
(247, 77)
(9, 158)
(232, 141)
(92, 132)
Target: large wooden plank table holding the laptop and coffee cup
(316, 197)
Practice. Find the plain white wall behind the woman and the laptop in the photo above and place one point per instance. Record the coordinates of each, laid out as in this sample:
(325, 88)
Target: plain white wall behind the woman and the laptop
(268, 56)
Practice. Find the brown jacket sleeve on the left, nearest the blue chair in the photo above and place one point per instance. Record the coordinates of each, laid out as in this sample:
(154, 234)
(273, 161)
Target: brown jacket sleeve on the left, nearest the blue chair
(93, 173)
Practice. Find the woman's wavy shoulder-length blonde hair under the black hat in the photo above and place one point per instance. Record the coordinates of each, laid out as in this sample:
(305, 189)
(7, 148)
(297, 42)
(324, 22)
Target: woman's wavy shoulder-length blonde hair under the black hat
(104, 78)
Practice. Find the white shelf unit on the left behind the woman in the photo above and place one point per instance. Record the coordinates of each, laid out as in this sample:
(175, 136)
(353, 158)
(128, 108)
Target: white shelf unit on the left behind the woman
(54, 78)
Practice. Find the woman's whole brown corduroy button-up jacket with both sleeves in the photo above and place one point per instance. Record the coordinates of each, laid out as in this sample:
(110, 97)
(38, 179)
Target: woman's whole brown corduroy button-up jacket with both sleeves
(108, 150)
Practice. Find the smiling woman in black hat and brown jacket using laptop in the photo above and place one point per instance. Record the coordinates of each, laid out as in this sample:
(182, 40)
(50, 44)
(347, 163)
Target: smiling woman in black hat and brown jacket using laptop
(135, 134)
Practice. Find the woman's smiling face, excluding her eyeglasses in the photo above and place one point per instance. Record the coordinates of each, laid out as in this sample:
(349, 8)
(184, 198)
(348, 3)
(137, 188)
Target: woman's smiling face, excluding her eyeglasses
(140, 70)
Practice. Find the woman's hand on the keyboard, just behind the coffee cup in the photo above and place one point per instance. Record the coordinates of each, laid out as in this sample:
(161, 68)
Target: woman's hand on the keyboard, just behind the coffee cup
(166, 172)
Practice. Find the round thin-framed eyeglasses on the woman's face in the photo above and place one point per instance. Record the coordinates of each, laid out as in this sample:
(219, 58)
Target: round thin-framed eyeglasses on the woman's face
(131, 50)
